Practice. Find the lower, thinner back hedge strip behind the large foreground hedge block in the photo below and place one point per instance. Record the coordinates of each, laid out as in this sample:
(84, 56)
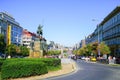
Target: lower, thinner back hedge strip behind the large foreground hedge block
(50, 62)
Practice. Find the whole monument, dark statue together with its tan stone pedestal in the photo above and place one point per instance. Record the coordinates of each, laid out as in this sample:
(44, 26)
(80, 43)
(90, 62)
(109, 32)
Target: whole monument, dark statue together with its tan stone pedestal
(35, 50)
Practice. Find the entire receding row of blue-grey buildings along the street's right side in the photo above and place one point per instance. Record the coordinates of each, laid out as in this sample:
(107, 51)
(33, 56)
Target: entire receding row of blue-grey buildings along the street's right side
(108, 31)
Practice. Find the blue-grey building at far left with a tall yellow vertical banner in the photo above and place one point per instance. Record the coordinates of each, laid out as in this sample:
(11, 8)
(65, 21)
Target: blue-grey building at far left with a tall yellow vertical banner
(11, 29)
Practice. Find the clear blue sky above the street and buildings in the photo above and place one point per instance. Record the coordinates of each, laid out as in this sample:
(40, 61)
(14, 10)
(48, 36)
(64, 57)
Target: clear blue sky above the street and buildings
(66, 22)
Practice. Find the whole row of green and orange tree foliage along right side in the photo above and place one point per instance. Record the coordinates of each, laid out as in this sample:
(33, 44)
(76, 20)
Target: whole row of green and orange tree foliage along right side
(93, 48)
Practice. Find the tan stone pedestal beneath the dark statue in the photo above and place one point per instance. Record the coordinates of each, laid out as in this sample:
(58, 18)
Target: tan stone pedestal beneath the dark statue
(36, 52)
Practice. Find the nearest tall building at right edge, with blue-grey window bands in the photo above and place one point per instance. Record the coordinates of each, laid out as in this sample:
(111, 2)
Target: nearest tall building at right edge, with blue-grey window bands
(111, 31)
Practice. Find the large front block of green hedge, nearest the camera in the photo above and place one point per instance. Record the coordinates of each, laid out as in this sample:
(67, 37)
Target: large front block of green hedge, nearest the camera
(22, 69)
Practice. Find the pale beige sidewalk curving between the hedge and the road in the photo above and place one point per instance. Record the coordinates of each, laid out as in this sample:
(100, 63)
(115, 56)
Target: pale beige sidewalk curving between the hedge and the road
(68, 66)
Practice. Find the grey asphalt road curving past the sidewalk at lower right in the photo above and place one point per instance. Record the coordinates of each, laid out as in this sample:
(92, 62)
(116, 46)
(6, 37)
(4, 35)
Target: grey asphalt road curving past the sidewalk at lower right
(91, 71)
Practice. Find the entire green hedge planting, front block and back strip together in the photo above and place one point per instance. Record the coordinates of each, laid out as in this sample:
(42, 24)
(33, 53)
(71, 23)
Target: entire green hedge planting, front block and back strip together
(24, 67)
